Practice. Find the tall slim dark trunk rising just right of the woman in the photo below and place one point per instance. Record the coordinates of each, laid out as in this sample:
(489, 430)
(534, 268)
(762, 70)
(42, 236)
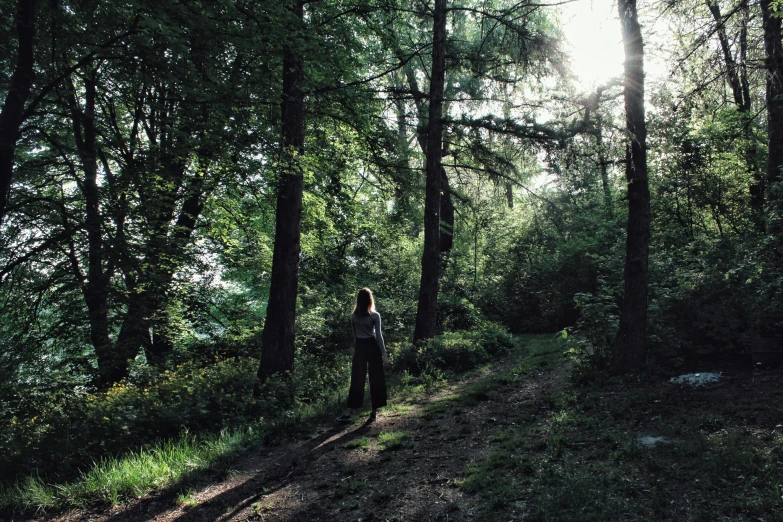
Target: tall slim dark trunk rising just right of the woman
(430, 261)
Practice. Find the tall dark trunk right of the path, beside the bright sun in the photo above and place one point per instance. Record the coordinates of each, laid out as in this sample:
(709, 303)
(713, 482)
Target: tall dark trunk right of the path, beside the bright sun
(630, 348)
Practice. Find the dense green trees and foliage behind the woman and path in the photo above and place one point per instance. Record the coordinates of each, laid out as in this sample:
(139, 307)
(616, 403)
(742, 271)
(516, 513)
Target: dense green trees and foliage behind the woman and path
(191, 193)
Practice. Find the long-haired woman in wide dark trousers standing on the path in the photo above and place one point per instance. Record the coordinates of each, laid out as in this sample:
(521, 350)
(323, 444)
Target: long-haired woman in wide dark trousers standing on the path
(369, 353)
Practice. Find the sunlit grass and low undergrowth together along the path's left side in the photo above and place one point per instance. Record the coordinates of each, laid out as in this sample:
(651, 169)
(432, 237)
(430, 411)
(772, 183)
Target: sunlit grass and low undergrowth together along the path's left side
(137, 412)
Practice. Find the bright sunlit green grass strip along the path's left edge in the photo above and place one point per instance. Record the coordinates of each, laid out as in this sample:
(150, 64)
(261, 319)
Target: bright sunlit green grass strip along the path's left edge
(174, 464)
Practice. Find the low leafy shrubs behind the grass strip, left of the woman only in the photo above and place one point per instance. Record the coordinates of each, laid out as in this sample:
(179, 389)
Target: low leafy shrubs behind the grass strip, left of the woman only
(72, 430)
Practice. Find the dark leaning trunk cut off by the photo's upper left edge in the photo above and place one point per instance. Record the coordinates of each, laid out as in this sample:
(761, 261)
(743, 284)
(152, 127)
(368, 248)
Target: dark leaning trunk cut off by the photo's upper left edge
(11, 116)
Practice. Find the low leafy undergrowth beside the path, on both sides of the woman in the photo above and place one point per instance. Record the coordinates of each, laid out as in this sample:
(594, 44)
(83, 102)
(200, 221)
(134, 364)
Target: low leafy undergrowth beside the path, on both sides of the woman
(66, 432)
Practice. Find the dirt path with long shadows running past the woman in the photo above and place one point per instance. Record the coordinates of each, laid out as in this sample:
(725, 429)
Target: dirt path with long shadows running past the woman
(405, 466)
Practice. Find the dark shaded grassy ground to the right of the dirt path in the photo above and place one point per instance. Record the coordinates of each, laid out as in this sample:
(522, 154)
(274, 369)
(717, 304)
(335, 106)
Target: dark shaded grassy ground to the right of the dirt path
(580, 457)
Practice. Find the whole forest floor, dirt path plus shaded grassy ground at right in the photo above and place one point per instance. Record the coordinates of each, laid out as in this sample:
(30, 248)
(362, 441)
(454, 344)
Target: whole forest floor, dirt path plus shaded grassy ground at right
(512, 441)
